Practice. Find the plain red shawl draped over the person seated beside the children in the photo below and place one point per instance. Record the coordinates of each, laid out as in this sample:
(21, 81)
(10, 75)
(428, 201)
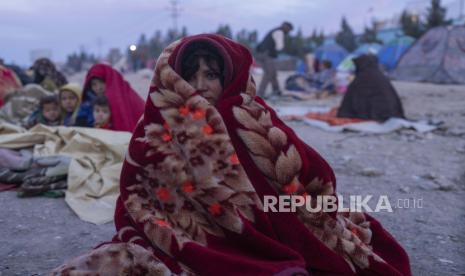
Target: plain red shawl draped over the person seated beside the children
(126, 105)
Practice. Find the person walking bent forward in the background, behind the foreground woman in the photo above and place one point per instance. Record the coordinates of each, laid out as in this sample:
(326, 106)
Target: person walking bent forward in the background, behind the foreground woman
(267, 52)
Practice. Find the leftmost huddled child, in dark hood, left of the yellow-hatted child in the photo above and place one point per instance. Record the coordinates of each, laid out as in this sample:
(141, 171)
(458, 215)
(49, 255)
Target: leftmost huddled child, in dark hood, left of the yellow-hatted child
(48, 113)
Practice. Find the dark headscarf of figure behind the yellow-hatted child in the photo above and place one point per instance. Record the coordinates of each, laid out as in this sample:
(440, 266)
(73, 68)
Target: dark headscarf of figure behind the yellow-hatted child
(46, 74)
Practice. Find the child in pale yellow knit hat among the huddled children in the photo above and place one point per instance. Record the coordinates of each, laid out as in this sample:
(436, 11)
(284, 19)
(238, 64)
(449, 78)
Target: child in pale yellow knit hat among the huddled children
(70, 99)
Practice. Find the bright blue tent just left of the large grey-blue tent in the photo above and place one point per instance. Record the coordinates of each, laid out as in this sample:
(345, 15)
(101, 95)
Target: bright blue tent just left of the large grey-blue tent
(390, 53)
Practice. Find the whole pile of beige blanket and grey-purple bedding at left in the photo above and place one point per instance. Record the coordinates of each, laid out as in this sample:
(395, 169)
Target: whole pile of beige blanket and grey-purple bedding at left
(83, 163)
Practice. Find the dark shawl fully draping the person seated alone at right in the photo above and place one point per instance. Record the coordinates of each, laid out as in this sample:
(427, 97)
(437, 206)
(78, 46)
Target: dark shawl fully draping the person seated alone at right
(370, 95)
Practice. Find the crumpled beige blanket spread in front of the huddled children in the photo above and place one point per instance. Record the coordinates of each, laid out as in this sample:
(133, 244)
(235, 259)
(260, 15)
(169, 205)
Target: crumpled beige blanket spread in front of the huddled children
(94, 172)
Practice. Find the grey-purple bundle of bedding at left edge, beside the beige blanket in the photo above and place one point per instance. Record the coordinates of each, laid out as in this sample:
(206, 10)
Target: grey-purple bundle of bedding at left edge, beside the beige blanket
(33, 175)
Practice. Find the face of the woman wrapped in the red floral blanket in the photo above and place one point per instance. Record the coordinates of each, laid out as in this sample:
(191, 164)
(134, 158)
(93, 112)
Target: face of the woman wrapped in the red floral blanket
(207, 81)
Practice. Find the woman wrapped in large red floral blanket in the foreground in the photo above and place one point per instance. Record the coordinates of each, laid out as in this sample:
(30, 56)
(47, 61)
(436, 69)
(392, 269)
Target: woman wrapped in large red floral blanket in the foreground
(199, 164)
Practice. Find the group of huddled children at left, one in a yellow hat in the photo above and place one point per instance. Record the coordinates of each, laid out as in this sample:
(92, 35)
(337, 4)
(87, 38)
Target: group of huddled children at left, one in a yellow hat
(68, 108)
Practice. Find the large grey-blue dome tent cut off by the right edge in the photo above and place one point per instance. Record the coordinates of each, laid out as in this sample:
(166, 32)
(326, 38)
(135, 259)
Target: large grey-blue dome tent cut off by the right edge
(437, 57)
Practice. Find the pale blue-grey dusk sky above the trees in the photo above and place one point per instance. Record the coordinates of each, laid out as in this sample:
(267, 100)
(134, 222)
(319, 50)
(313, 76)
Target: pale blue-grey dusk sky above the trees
(63, 26)
